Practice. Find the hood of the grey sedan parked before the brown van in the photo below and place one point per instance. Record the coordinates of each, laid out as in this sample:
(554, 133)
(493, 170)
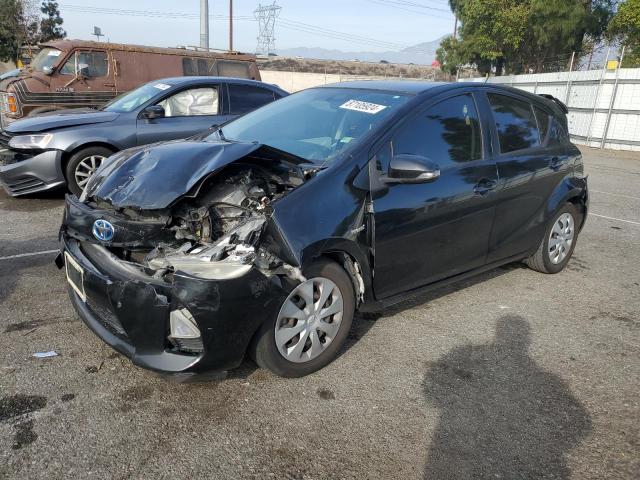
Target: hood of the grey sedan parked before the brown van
(61, 119)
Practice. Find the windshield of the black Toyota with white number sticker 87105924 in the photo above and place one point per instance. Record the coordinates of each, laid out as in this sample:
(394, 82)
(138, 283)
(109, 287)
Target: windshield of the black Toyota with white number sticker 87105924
(315, 124)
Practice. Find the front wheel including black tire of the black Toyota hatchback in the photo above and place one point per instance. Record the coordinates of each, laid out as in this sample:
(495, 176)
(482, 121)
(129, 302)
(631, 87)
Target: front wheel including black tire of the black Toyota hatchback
(265, 350)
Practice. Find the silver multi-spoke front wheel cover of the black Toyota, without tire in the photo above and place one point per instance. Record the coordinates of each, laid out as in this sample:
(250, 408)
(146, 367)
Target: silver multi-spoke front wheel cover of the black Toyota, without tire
(309, 320)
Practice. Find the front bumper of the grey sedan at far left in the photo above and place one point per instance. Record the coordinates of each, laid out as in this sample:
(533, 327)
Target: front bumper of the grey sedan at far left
(21, 174)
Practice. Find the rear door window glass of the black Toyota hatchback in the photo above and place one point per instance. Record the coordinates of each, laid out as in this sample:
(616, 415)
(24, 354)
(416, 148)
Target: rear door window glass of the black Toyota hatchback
(515, 123)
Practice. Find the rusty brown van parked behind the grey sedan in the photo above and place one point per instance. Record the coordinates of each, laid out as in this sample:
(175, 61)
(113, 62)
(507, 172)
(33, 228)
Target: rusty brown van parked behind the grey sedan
(77, 73)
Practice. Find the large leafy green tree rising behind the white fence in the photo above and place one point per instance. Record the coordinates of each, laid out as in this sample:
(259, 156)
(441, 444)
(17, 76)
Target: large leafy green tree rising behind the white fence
(525, 35)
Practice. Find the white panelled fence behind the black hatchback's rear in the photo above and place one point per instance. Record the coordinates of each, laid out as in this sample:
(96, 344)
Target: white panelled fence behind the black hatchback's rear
(604, 106)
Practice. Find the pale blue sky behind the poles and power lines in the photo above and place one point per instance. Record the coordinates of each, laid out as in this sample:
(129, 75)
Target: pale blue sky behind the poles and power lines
(405, 24)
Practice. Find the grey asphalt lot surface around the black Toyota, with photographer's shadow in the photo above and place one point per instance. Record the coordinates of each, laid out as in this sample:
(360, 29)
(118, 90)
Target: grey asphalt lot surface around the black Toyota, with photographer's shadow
(512, 375)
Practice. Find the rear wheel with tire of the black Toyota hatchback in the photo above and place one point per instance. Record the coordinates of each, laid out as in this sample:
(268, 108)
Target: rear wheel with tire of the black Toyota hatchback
(545, 259)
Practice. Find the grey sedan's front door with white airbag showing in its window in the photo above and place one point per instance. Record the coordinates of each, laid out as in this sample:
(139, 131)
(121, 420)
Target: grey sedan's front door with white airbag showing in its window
(187, 112)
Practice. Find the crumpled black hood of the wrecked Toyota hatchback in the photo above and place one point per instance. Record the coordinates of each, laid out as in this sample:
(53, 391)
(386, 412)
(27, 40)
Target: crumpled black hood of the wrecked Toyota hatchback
(154, 176)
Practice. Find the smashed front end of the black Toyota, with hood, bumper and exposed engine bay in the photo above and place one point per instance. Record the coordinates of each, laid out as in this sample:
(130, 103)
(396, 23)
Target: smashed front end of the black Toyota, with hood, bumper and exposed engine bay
(181, 283)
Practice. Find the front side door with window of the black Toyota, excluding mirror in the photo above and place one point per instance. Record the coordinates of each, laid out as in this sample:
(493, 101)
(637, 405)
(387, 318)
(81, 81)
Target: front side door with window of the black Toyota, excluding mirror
(431, 231)
